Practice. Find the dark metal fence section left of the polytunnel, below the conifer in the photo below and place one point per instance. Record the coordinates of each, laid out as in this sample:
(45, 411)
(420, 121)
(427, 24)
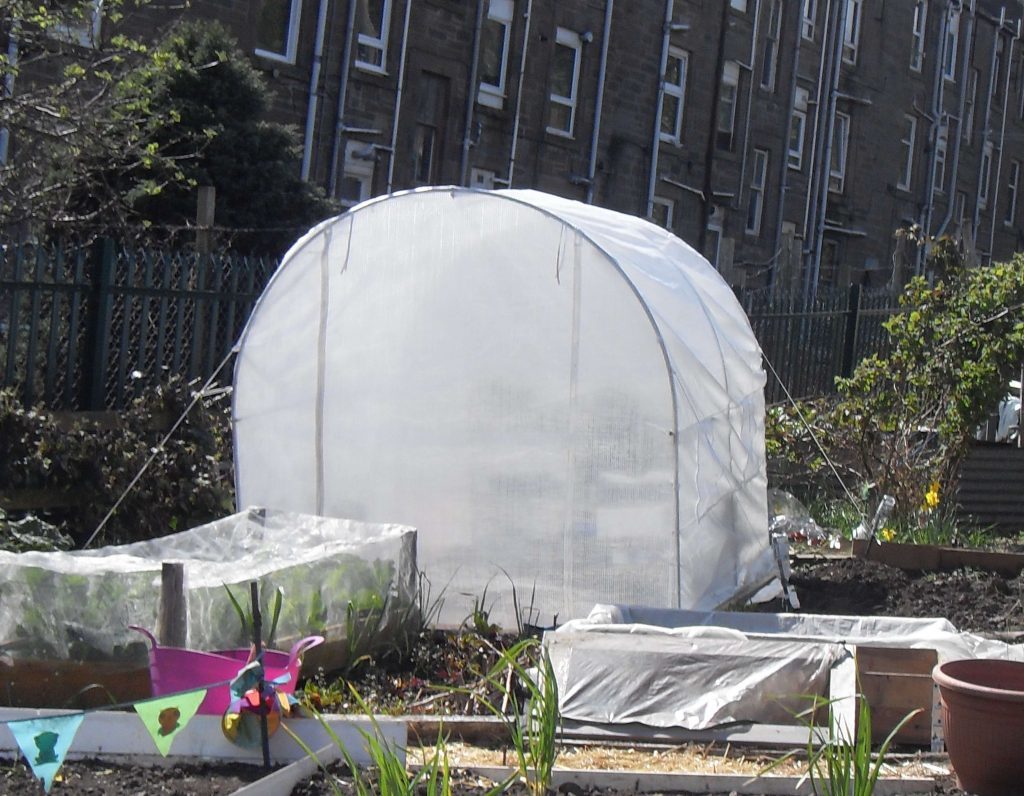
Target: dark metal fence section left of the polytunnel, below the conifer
(89, 328)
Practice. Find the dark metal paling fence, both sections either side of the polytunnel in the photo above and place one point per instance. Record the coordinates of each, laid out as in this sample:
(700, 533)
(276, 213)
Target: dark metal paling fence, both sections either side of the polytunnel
(90, 328)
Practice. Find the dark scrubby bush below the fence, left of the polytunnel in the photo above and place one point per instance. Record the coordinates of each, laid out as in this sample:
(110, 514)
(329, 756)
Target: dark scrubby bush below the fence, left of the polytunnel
(80, 469)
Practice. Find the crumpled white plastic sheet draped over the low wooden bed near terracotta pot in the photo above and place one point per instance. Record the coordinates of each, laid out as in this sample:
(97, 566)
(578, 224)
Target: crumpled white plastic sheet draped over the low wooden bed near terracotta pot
(691, 669)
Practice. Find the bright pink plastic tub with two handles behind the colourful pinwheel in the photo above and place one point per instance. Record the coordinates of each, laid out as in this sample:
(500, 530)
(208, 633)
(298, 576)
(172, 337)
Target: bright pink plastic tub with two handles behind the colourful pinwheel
(175, 669)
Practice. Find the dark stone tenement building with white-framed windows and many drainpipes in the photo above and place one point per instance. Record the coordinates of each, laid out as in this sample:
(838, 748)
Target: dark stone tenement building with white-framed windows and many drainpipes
(787, 140)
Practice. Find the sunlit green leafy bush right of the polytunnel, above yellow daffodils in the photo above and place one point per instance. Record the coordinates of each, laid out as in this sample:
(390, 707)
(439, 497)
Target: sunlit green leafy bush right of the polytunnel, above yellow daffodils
(904, 422)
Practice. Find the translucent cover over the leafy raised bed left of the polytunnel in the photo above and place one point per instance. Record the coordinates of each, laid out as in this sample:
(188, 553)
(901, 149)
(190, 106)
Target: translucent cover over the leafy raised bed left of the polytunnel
(79, 605)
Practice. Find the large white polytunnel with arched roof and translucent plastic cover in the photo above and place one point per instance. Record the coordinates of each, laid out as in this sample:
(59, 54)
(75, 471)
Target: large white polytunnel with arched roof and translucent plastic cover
(567, 402)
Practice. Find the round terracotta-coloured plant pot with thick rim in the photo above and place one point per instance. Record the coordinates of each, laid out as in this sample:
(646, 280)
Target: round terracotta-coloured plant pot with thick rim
(984, 718)
